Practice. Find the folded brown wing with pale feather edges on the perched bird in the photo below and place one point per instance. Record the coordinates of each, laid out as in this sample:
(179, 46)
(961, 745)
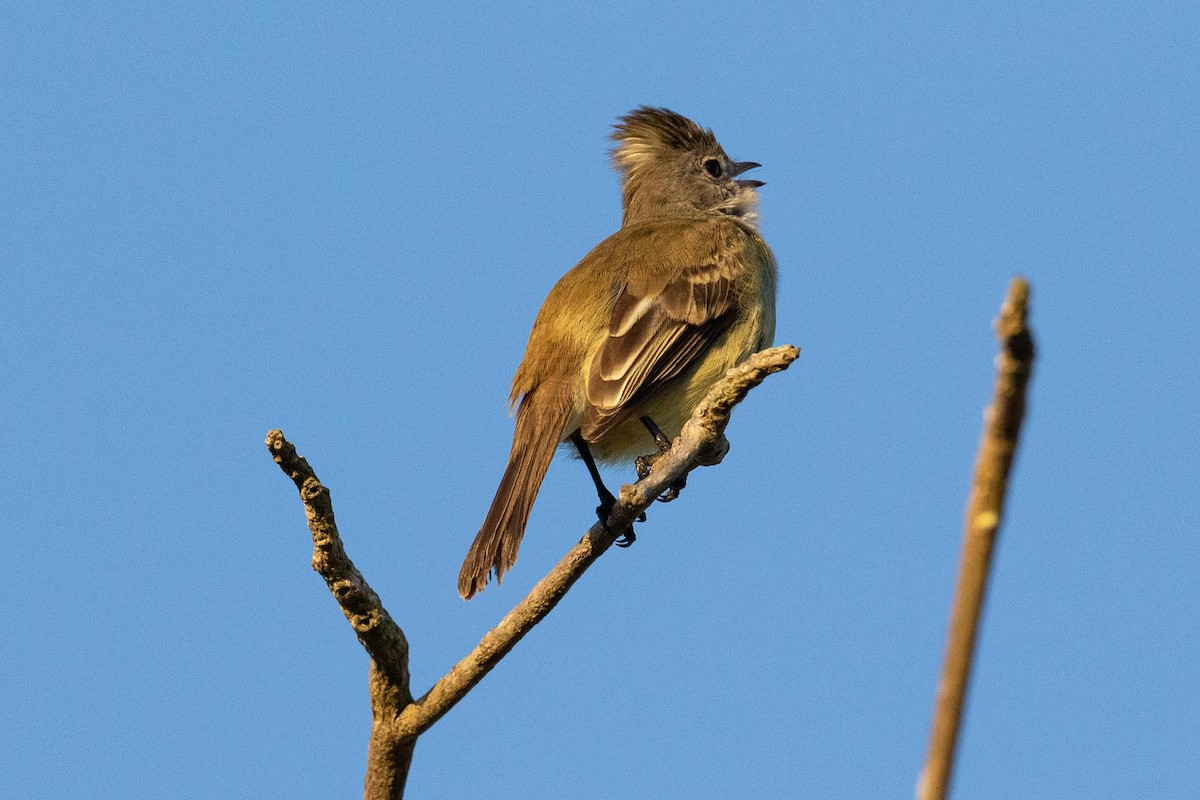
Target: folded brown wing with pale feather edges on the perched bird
(662, 322)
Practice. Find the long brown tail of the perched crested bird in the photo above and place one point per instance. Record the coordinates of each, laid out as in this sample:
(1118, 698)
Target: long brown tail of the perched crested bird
(542, 419)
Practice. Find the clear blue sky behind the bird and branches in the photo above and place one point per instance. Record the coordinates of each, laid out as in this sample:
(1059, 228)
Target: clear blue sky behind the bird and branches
(340, 221)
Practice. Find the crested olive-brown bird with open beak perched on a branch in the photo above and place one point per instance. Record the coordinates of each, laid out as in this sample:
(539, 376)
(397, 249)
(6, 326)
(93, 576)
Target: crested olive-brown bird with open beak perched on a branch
(631, 340)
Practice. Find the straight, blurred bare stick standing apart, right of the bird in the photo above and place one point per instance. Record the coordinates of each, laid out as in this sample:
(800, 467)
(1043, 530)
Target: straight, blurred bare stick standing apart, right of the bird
(998, 447)
